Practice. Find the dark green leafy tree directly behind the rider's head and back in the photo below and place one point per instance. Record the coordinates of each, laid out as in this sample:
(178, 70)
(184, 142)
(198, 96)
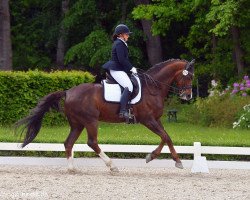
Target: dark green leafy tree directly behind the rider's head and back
(93, 50)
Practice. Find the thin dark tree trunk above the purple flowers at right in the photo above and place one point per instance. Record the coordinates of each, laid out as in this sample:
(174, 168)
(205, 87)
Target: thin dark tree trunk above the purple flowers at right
(237, 50)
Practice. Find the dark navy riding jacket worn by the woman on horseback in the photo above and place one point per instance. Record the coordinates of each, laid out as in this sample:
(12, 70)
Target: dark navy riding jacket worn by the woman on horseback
(119, 58)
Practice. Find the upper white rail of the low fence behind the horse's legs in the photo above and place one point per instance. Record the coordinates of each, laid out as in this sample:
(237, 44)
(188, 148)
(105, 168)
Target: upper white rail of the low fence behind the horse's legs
(196, 150)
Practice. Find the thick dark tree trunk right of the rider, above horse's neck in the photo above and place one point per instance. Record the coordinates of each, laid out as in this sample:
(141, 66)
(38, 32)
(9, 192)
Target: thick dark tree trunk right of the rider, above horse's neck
(153, 43)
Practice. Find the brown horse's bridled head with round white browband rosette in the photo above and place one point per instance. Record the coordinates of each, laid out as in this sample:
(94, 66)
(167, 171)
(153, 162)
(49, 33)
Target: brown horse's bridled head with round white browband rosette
(184, 79)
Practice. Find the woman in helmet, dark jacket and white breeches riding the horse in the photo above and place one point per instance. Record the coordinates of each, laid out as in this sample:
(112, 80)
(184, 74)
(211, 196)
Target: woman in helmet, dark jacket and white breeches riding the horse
(119, 66)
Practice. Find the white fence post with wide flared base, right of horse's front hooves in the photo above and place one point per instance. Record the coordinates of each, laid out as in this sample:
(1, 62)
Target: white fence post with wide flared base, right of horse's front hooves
(200, 162)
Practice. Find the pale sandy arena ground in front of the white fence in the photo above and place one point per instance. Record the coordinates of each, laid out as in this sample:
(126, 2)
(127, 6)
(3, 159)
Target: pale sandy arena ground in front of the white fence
(32, 182)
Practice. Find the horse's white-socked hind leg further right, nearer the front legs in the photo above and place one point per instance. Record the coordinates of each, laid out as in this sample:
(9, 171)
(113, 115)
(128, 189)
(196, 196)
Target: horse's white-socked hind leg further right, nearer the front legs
(93, 143)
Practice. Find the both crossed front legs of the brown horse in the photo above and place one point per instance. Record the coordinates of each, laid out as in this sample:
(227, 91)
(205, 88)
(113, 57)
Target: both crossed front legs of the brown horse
(156, 127)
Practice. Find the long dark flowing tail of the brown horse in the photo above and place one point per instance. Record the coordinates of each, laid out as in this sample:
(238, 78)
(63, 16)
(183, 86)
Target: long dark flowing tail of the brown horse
(32, 123)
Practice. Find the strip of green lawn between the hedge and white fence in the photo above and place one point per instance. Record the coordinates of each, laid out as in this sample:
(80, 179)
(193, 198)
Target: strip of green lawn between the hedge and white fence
(181, 134)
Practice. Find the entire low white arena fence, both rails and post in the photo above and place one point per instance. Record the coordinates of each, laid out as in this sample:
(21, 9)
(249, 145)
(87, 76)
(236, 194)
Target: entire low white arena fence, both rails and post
(199, 164)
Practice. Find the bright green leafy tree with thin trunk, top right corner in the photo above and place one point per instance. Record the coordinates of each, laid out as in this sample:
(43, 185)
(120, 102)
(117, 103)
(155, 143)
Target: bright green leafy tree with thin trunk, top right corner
(229, 16)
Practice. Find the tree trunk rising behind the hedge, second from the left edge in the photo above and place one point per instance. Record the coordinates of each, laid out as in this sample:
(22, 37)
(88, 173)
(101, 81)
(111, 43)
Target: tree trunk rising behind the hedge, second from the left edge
(61, 40)
